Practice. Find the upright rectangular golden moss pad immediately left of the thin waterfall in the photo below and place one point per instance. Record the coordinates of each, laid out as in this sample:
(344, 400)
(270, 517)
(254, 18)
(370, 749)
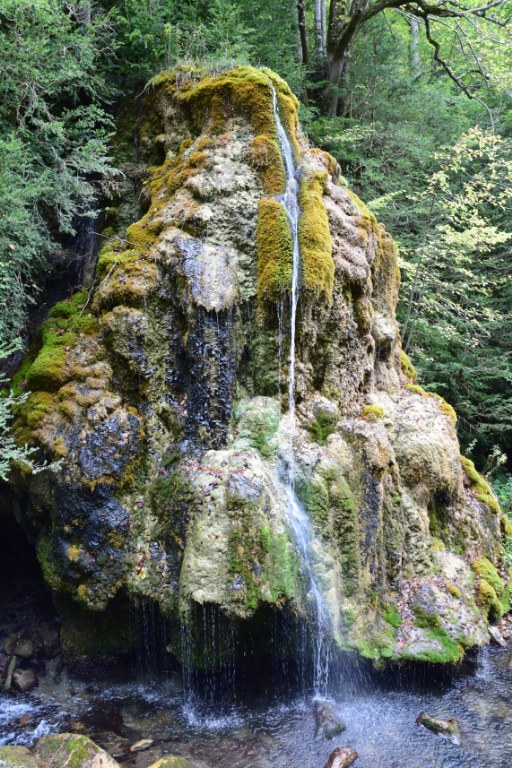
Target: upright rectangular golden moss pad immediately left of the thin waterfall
(275, 250)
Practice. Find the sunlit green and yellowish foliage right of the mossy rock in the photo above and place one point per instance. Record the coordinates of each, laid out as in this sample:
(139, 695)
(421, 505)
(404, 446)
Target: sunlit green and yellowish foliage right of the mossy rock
(449, 210)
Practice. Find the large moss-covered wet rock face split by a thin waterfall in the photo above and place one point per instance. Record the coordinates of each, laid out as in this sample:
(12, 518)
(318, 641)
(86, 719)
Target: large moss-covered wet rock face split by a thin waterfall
(163, 396)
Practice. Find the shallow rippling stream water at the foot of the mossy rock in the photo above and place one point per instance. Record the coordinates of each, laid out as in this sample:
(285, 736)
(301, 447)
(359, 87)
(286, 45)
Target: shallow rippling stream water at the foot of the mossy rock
(260, 732)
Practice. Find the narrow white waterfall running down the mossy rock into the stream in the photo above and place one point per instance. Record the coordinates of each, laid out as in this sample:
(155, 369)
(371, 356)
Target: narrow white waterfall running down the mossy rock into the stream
(299, 520)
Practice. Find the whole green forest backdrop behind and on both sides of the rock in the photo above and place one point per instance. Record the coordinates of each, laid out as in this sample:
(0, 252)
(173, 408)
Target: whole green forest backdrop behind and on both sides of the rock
(414, 100)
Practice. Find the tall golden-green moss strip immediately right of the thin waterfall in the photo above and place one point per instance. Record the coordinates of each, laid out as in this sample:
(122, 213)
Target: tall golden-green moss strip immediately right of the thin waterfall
(315, 237)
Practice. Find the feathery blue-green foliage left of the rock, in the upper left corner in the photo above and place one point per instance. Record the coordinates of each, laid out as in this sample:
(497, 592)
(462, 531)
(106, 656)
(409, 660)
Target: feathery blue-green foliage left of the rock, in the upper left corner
(54, 132)
